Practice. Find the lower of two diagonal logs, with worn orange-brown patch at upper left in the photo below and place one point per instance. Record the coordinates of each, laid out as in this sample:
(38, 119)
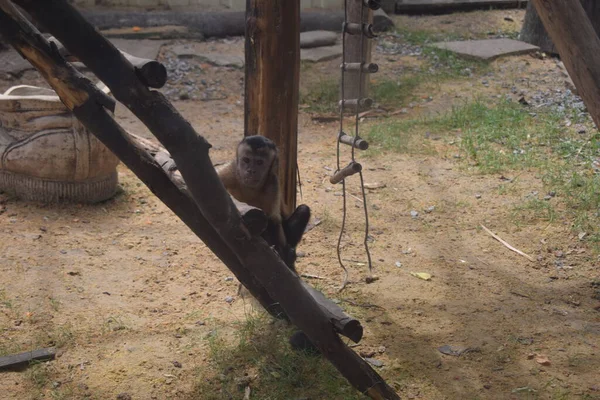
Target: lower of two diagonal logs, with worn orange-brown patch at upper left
(88, 104)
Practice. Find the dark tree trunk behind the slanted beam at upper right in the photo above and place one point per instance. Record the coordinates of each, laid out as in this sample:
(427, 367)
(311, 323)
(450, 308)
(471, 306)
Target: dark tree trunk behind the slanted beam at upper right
(533, 30)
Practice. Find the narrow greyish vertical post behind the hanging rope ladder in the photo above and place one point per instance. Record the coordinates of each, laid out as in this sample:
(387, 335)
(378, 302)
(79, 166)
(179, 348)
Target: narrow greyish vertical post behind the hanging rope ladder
(354, 51)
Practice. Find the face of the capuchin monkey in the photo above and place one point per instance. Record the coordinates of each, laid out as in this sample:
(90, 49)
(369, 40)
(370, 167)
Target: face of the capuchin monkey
(253, 166)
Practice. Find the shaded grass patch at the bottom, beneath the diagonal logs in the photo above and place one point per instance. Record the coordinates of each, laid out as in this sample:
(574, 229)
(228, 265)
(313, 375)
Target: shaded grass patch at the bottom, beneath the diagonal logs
(260, 354)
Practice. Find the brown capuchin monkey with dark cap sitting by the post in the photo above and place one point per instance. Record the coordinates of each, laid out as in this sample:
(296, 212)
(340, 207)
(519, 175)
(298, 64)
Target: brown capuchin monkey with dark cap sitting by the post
(253, 178)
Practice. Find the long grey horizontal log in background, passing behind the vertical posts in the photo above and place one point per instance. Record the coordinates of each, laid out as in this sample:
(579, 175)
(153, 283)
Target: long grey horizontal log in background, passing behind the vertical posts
(220, 24)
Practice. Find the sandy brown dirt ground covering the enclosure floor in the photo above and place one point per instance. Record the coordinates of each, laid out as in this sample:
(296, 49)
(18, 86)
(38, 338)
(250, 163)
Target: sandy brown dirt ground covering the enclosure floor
(124, 289)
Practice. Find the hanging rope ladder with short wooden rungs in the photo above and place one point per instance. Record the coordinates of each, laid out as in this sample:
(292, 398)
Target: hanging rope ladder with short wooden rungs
(354, 141)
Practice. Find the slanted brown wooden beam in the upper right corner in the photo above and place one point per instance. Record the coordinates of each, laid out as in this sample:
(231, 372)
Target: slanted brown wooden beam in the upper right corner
(578, 45)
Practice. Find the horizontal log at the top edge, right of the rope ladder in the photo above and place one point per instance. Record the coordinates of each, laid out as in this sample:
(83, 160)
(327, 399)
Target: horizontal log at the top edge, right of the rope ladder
(448, 6)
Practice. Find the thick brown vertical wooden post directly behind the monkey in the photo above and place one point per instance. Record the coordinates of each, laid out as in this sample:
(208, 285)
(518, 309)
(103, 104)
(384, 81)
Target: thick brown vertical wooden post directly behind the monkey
(272, 83)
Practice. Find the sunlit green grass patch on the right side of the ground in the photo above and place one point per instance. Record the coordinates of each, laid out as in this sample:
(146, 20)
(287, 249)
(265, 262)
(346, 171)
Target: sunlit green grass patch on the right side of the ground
(504, 137)
